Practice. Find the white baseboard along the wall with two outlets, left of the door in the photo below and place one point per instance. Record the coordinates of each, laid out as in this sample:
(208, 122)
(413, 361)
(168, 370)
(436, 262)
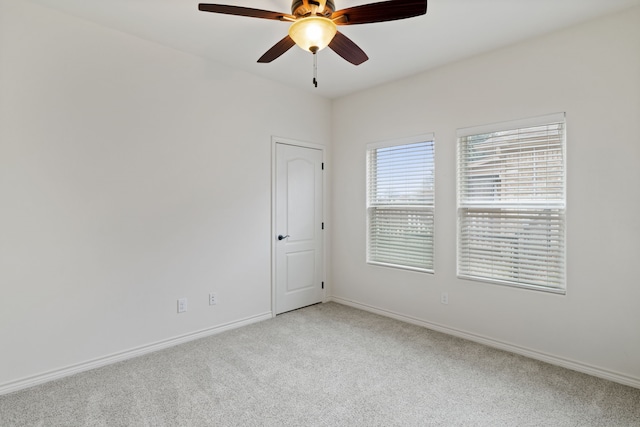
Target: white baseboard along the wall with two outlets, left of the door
(127, 354)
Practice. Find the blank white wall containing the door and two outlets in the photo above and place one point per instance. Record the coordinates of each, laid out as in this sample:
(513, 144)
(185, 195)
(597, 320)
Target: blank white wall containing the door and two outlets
(131, 175)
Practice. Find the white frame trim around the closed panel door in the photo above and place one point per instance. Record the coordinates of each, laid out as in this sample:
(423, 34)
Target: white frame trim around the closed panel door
(275, 140)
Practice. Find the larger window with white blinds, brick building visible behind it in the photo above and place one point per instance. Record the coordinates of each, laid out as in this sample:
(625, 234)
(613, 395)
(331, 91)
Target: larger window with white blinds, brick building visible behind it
(511, 203)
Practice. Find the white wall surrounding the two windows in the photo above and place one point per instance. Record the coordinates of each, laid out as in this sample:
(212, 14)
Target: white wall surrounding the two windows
(591, 72)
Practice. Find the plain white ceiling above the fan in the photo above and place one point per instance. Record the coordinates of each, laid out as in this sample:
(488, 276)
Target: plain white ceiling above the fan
(451, 30)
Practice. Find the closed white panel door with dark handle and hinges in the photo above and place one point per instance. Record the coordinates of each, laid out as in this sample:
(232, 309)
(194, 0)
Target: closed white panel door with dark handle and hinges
(298, 227)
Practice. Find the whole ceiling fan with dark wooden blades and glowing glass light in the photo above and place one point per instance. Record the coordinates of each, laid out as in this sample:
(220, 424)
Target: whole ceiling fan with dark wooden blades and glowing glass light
(314, 23)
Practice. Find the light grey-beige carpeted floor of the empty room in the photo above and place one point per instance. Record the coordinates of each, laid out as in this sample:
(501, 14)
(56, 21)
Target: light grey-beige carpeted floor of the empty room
(326, 365)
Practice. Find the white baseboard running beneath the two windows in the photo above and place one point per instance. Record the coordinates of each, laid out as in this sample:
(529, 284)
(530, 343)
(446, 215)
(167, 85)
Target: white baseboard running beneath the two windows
(533, 354)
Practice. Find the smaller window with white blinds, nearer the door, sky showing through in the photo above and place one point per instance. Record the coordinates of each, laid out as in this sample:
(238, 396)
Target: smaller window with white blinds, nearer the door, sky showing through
(400, 203)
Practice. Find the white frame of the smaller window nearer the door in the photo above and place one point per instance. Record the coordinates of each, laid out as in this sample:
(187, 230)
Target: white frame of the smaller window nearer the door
(423, 208)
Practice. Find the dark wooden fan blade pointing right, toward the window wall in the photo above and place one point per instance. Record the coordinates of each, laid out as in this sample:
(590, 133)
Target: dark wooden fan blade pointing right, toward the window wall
(390, 10)
